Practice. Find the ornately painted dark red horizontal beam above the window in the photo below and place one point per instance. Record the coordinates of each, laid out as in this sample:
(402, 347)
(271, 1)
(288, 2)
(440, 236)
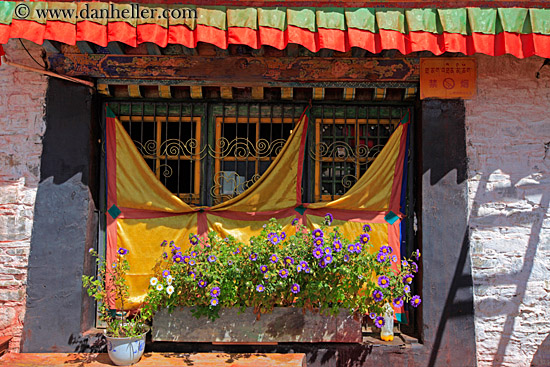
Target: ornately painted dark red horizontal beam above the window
(237, 71)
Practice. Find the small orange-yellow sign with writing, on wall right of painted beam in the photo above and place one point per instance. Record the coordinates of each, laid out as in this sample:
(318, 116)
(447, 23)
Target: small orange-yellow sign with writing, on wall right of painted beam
(448, 78)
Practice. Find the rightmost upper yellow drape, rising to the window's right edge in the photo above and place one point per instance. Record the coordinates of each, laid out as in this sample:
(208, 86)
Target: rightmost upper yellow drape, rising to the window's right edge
(372, 192)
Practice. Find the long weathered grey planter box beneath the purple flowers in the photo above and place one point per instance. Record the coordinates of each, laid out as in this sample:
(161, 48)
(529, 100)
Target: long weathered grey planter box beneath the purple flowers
(283, 325)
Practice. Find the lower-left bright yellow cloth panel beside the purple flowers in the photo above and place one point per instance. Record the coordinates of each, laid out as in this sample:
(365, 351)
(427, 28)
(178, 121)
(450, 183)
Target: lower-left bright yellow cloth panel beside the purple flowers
(142, 239)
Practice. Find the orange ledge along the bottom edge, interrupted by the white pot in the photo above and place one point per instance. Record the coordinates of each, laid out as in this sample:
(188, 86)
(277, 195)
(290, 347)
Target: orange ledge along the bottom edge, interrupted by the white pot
(155, 360)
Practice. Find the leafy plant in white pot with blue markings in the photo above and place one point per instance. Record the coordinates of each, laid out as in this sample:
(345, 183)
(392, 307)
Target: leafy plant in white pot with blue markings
(126, 330)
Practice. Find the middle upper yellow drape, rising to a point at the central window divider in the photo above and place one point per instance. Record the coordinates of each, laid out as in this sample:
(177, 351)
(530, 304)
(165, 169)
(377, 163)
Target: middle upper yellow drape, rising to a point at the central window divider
(276, 188)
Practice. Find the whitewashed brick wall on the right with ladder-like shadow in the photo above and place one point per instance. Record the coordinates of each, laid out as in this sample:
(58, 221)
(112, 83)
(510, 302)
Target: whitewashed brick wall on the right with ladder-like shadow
(508, 124)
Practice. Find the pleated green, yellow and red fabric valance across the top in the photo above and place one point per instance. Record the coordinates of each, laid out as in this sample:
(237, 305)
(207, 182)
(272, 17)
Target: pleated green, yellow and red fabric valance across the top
(521, 32)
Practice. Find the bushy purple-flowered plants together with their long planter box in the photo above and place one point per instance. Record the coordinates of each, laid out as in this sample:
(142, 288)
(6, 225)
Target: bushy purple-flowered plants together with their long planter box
(318, 271)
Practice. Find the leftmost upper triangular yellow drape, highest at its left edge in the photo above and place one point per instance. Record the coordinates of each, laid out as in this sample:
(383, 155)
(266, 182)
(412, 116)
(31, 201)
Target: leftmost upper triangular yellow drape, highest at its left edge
(137, 186)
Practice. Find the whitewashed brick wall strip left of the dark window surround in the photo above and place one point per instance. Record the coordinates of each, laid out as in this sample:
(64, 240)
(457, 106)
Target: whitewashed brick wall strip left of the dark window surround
(22, 100)
